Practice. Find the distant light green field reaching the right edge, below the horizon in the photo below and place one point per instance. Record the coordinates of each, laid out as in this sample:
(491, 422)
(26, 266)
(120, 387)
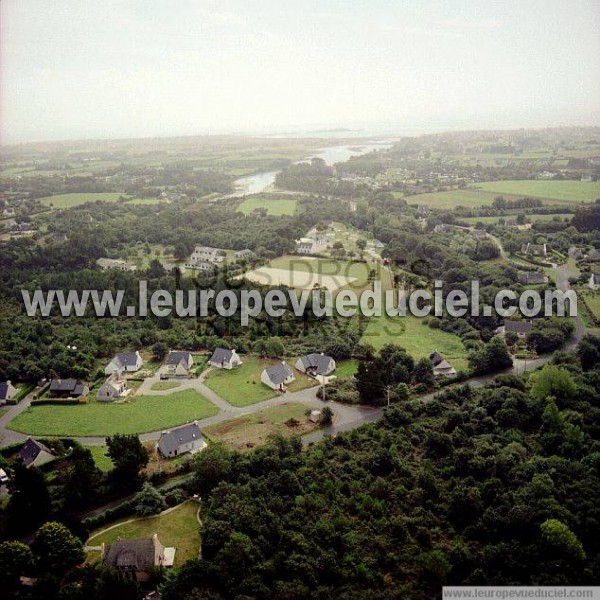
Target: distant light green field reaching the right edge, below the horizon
(565, 191)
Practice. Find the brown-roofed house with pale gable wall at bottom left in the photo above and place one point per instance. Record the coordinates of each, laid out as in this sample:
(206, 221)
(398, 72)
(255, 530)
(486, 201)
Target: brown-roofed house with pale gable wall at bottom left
(136, 559)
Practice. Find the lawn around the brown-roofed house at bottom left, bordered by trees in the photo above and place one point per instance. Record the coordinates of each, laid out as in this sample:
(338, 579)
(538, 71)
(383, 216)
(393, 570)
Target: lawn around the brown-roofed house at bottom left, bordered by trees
(178, 528)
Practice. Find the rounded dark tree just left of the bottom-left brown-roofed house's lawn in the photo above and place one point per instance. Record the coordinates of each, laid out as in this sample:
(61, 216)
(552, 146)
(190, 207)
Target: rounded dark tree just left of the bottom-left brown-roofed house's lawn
(56, 549)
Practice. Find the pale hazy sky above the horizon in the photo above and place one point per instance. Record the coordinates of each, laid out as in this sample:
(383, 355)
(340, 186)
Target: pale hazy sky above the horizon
(121, 68)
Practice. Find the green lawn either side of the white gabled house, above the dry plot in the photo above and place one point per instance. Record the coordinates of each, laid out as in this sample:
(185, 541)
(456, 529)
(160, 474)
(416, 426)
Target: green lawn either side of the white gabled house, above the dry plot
(242, 386)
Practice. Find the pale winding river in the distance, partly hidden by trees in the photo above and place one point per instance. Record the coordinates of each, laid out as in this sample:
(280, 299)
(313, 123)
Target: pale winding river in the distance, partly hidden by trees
(254, 184)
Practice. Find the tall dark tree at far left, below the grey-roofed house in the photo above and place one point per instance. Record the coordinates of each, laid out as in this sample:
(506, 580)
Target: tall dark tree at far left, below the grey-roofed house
(29, 504)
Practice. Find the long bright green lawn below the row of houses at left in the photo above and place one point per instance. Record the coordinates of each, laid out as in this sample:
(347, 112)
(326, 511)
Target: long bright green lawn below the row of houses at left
(139, 415)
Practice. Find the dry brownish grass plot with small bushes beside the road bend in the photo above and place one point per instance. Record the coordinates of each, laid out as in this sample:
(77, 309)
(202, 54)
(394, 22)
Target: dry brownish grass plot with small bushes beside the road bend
(253, 429)
